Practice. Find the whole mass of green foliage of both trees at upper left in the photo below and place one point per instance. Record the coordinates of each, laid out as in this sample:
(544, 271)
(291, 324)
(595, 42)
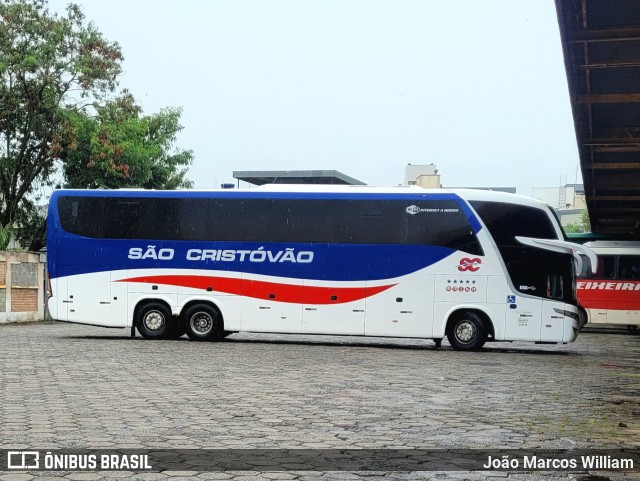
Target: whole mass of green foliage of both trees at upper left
(57, 78)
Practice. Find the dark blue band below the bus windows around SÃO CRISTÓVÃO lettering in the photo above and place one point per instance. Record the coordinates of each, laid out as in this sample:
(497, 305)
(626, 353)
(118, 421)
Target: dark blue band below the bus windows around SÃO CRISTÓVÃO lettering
(331, 262)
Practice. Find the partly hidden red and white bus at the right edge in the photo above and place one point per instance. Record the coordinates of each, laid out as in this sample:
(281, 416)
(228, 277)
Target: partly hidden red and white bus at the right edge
(611, 295)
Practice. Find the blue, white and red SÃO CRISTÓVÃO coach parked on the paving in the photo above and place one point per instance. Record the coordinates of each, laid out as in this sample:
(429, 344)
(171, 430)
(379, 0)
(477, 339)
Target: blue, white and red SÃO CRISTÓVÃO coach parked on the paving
(470, 265)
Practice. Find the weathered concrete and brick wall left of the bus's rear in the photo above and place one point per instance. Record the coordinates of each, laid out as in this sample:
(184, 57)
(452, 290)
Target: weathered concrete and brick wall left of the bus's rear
(21, 287)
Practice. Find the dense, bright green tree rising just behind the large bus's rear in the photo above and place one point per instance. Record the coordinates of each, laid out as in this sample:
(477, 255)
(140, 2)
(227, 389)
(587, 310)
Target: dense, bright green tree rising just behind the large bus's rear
(119, 147)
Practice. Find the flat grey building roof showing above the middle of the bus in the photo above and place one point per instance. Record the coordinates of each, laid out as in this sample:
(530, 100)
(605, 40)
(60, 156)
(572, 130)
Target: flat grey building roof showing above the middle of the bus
(262, 177)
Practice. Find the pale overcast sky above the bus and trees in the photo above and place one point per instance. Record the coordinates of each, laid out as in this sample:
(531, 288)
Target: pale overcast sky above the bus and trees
(360, 86)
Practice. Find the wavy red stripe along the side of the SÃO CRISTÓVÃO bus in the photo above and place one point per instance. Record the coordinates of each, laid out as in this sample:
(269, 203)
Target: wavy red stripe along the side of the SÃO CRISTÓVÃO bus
(273, 291)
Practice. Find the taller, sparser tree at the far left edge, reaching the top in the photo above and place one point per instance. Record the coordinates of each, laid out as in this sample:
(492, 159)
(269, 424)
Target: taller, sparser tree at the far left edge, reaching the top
(50, 66)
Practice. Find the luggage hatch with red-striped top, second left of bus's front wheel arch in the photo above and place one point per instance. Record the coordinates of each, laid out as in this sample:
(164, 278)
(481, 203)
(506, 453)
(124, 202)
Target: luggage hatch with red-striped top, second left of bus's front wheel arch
(328, 310)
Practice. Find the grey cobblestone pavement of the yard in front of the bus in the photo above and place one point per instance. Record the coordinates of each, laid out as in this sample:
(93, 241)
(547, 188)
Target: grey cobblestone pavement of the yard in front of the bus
(71, 386)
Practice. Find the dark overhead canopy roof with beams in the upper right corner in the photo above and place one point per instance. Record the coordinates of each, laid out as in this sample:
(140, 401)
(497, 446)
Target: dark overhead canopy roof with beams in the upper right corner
(601, 44)
